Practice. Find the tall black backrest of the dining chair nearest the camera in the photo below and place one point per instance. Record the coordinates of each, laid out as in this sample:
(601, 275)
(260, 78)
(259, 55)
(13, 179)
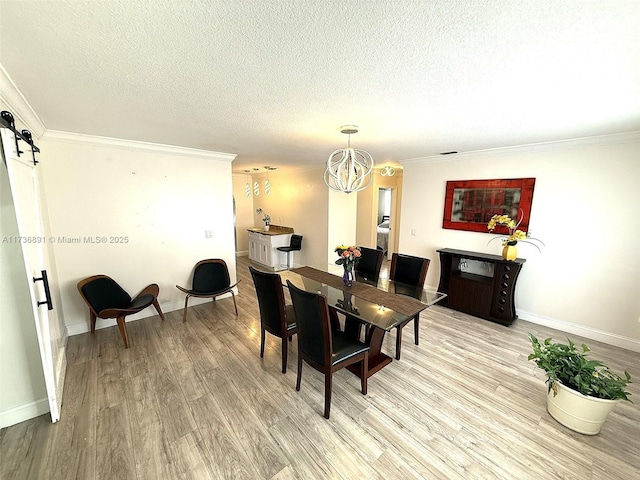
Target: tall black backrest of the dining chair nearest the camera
(312, 317)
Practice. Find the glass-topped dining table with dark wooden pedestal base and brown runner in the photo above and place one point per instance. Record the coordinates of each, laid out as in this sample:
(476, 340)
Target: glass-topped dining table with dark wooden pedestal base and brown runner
(378, 306)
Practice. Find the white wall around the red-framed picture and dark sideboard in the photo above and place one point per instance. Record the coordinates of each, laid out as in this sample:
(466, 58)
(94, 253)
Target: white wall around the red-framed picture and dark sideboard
(585, 209)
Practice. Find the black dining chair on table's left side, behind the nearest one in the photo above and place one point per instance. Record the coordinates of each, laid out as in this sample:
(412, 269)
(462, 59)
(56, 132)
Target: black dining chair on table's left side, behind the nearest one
(276, 317)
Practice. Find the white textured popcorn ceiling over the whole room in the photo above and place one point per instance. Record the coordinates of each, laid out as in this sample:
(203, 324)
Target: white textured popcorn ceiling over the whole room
(274, 80)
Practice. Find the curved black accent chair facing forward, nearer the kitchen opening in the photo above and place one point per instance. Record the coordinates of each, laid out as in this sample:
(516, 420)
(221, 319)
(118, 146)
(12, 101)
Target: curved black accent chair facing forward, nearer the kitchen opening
(210, 280)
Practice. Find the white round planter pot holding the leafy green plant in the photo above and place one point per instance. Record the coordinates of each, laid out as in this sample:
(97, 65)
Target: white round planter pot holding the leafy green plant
(578, 412)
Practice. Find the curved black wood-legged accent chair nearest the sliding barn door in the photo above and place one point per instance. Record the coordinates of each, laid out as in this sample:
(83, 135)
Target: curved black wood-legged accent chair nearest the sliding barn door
(107, 299)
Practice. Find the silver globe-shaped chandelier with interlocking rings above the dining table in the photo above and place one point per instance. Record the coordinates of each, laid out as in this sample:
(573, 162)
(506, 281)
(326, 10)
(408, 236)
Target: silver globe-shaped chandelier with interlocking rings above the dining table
(348, 168)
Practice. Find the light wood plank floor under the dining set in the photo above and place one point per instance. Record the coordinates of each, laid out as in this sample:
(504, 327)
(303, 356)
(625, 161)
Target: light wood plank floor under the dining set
(195, 401)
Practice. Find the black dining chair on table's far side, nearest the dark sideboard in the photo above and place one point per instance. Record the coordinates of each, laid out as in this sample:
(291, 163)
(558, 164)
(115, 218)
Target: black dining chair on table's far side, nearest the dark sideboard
(408, 270)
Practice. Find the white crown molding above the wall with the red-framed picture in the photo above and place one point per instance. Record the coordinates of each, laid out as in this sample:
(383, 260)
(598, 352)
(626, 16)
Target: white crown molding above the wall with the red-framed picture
(613, 139)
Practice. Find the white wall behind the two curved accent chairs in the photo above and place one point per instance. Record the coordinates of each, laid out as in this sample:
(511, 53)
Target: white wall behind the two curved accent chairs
(149, 207)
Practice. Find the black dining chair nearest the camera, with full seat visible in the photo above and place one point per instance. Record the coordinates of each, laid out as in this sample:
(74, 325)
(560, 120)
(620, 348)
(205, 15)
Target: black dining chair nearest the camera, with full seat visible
(323, 349)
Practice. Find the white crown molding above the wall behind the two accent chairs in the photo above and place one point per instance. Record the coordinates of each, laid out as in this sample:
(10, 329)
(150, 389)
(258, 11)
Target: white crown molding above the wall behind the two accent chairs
(157, 148)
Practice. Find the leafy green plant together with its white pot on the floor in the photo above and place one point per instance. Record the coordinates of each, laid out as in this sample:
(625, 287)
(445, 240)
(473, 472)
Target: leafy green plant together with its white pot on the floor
(581, 392)
